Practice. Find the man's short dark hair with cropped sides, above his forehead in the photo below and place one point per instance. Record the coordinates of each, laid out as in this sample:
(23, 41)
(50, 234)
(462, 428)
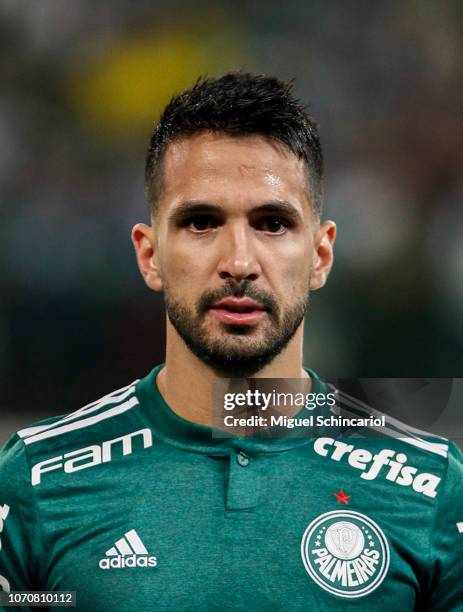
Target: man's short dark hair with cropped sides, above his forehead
(238, 104)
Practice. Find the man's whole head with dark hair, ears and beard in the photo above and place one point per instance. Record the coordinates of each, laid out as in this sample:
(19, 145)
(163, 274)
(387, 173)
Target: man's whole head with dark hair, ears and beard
(236, 242)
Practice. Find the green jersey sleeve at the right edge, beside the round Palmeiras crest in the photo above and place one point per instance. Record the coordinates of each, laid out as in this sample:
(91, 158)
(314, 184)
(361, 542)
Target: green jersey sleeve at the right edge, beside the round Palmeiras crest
(447, 540)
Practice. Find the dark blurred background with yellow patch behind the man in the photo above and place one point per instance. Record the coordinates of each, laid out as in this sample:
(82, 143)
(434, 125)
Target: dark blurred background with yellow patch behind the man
(82, 84)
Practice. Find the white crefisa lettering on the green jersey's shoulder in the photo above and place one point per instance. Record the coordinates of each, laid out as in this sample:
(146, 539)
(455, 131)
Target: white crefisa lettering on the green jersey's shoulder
(371, 465)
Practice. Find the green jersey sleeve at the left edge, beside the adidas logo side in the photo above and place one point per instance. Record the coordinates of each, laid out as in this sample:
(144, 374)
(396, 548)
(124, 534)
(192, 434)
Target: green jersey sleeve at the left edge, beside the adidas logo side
(19, 527)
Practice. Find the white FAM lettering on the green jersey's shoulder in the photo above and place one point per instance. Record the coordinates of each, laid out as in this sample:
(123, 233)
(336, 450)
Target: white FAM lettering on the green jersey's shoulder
(90, 456)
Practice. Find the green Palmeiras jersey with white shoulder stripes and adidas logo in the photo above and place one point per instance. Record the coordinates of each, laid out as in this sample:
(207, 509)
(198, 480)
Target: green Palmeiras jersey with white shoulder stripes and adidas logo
(135, 508)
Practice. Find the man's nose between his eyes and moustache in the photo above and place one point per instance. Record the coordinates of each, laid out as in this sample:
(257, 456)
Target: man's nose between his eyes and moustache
(238, 258)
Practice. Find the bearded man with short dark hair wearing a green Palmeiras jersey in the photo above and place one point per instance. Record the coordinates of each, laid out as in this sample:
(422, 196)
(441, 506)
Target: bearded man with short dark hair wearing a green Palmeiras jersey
(136, 502)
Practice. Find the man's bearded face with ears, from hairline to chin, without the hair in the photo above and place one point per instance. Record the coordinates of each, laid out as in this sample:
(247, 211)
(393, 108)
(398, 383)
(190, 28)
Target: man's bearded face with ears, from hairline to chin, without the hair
(235, 247)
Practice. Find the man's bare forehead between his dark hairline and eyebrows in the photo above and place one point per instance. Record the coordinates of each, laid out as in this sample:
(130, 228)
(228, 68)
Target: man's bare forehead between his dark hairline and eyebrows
(215, 165)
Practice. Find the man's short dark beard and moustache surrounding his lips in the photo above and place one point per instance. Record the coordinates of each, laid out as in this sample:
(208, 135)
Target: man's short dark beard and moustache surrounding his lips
(235, 353)
